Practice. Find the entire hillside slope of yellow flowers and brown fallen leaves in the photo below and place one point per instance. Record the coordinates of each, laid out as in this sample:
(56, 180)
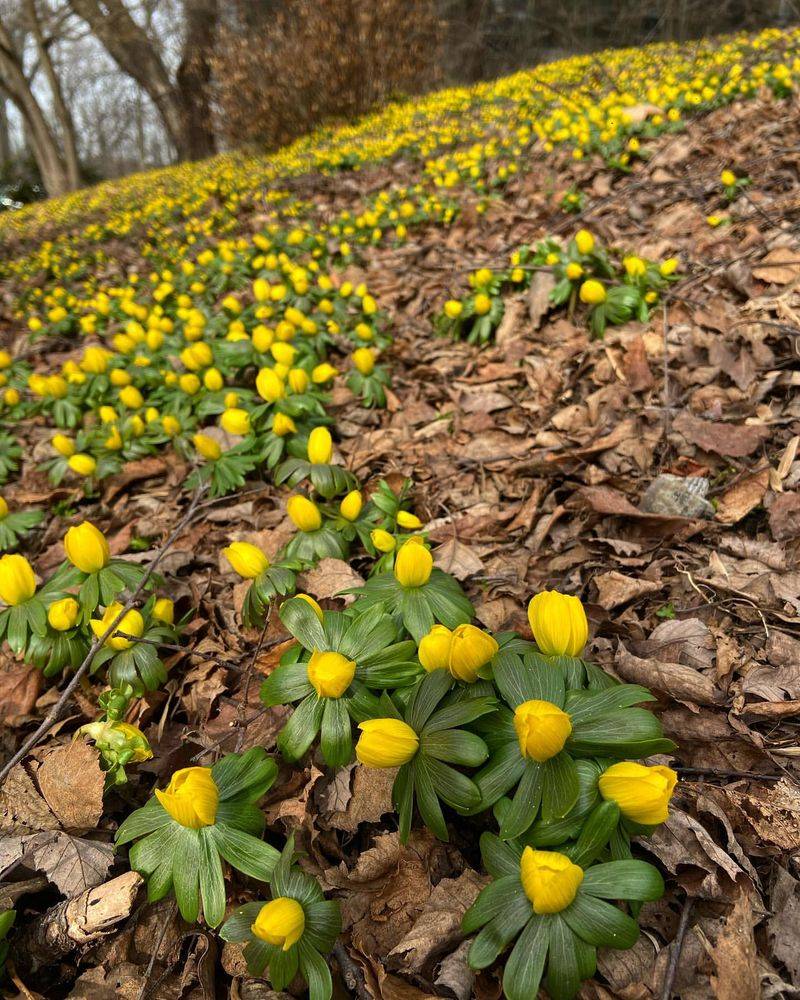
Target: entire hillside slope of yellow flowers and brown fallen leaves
(301, 455)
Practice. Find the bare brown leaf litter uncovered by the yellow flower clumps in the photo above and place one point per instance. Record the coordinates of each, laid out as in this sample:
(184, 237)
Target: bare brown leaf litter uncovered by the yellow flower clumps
(531, 459)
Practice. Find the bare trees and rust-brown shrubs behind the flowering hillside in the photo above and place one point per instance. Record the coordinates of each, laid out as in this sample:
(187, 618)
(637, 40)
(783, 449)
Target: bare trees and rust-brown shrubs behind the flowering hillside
(94, 88)
